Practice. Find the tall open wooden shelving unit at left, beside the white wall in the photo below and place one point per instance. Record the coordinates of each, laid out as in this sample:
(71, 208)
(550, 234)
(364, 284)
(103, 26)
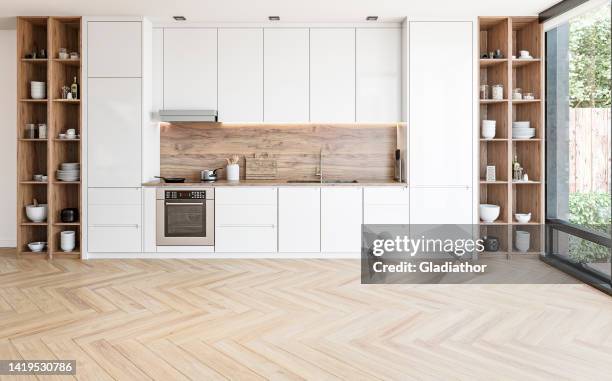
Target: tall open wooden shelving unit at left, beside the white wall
(44, 156)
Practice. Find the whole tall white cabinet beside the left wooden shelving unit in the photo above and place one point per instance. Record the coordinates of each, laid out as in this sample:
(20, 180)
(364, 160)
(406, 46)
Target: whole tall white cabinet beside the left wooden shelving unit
(113, 128)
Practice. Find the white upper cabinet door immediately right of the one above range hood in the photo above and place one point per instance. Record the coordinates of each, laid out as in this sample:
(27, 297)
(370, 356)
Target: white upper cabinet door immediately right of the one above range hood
(241, 75)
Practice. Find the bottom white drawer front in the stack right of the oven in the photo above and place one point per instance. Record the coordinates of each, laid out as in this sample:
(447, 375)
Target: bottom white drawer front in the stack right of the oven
(245, 239)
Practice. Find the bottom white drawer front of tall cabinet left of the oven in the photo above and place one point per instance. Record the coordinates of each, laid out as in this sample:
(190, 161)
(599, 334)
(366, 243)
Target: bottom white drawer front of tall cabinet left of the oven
(114, 239)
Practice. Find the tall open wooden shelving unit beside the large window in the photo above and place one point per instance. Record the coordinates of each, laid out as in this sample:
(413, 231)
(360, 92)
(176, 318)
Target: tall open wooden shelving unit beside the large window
(510, 35)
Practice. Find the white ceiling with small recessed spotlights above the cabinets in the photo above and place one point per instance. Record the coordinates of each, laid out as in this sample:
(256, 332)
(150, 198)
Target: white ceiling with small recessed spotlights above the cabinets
(288, 10)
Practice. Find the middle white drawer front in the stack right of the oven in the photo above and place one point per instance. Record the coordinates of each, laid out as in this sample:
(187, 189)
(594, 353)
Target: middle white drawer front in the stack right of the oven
(245, 215)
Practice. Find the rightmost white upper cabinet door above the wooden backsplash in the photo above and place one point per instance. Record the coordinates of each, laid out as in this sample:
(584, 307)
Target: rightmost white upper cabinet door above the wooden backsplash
(379, 74)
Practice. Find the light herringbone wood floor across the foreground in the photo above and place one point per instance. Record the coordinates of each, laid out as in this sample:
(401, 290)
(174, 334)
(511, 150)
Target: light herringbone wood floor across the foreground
(293, 319)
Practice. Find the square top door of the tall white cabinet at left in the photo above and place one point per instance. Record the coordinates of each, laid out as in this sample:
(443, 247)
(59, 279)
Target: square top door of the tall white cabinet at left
(114, 49)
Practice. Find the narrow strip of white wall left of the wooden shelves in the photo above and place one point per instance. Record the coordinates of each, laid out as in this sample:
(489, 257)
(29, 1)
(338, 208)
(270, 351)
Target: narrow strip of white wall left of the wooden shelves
(8, 115)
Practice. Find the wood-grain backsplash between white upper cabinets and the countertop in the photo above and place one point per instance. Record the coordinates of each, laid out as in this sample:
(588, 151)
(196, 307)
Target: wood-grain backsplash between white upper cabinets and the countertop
(361, 152)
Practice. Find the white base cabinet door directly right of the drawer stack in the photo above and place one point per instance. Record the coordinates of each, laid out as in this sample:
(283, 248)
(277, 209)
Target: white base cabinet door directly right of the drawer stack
(299, 220)
